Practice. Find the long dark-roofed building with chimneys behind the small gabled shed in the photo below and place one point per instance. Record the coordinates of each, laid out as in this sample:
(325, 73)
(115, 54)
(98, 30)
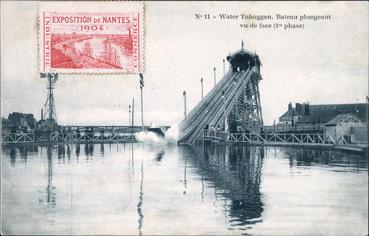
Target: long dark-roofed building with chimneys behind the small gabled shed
(321, 114)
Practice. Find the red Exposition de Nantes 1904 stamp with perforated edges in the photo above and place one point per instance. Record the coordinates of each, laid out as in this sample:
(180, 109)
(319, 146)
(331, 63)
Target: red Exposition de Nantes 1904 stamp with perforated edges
(91, 37)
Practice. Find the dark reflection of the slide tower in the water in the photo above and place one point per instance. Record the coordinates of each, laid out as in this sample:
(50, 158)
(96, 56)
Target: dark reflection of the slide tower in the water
(235, 174)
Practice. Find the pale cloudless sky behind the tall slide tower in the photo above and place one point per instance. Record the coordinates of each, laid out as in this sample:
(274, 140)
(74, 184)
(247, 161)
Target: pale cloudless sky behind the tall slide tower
(327, 62)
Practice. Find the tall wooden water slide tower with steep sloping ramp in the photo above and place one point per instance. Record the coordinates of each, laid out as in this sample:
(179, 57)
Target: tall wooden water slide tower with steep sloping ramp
(233, 105)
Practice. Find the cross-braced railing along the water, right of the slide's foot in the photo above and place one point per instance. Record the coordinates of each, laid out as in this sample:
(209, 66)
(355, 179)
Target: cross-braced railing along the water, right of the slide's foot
(275, 138)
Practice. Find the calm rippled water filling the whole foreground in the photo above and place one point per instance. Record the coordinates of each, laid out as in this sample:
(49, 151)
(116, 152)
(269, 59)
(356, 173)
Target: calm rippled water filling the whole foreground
(166, 189)
